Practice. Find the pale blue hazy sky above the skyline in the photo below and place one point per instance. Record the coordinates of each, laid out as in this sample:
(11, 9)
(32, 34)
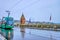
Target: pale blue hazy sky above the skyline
(36, 10)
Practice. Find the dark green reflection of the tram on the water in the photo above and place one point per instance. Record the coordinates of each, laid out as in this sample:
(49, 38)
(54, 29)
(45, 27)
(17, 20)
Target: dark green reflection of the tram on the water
(7, 33)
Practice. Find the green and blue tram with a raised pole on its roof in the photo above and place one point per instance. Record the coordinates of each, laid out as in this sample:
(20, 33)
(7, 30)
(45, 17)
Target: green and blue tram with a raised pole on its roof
(7, 22)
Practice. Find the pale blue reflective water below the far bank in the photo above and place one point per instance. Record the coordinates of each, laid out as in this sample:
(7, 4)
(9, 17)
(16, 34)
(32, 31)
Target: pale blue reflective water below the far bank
(18, 33)
